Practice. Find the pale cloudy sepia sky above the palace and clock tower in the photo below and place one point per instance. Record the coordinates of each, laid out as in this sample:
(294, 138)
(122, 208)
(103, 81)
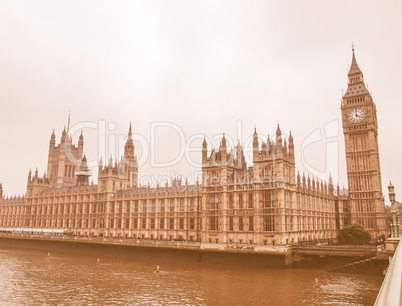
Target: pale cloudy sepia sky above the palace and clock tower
(179, 70)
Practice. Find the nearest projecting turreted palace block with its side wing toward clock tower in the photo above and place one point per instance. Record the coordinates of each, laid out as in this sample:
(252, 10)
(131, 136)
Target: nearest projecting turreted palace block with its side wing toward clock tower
(265, 204)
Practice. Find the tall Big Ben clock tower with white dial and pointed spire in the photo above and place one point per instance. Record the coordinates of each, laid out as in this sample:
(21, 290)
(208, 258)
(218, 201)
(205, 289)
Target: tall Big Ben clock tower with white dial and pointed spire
(360, 128)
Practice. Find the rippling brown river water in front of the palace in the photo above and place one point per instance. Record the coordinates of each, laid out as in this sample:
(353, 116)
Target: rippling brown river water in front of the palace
(71, 276)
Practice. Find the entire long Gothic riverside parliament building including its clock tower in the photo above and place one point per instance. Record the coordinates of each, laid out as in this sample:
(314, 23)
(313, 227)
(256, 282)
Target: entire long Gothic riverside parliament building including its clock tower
(263, 205)
